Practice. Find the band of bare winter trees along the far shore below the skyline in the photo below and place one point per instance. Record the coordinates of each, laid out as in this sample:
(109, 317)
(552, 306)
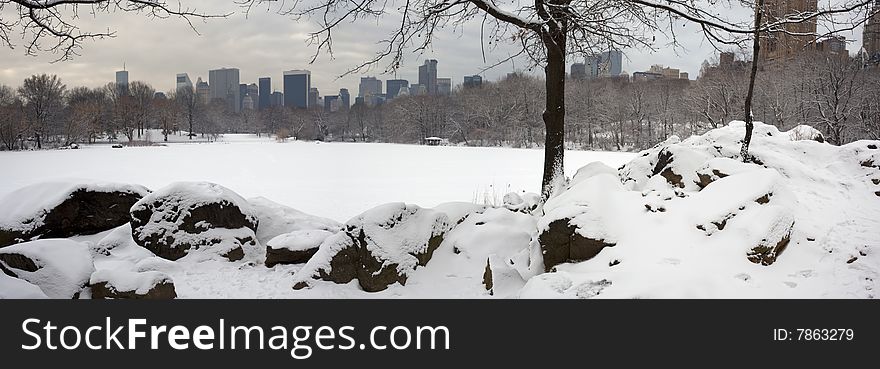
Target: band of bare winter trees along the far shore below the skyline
(836, 95)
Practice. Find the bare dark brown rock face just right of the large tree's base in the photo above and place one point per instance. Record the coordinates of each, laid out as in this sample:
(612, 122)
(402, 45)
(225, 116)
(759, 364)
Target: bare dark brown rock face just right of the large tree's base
(560, 243)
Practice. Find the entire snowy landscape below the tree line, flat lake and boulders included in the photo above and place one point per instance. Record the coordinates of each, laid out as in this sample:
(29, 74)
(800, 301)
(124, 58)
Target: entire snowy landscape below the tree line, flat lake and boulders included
(685, 219)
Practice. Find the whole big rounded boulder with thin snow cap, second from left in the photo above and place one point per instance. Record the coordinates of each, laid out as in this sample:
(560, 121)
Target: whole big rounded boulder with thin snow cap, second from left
(187, 216)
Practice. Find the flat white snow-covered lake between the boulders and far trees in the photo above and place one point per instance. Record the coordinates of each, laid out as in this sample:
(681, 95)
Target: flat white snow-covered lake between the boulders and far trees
(334, 180)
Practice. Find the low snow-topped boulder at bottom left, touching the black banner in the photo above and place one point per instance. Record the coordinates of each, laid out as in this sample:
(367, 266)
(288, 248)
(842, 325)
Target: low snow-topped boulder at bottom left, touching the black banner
(126, 284)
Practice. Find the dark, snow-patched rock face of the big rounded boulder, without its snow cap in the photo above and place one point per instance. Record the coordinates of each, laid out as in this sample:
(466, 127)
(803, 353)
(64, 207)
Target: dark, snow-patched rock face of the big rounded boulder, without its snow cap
(170, 228)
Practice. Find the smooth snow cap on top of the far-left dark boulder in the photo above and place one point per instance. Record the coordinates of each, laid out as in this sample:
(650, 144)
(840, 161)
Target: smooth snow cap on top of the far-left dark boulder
(25, 209)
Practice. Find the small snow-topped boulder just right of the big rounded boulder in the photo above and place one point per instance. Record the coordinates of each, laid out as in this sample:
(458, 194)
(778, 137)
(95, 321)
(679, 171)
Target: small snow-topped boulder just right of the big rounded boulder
(296, 247)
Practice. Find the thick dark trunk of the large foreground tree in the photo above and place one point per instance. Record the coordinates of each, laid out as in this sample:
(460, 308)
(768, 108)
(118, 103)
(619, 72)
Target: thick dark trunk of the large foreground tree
(554, 112)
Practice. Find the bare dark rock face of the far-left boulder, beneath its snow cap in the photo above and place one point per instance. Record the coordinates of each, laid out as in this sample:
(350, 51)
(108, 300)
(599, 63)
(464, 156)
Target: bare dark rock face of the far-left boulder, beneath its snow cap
(83, 212)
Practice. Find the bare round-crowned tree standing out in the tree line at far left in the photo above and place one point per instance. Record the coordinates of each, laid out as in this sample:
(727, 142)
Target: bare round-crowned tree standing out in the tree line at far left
(42, 96)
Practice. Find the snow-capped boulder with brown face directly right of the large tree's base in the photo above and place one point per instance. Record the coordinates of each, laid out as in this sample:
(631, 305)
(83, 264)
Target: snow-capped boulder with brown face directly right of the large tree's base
(574, 227)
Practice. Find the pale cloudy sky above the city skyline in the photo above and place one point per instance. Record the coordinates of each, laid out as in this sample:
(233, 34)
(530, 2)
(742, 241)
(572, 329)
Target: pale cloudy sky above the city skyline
(264, 43)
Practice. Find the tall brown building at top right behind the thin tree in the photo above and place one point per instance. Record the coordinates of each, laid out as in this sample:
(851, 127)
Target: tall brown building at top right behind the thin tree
(793, 38)
